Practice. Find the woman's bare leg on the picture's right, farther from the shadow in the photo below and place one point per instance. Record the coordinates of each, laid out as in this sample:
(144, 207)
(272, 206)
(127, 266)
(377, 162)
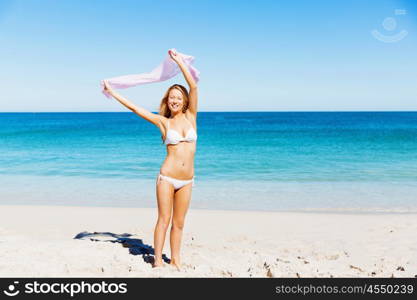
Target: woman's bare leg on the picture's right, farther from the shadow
(182, 200)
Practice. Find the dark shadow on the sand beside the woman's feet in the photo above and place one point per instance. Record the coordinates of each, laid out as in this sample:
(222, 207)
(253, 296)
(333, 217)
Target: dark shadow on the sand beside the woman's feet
(136, 246)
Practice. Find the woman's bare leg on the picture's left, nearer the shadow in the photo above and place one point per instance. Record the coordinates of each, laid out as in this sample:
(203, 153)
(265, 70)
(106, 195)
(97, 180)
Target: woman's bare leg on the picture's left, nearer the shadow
(164, 195)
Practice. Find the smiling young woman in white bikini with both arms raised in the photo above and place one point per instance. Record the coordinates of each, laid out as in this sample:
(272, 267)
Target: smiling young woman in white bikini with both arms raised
(177, 122)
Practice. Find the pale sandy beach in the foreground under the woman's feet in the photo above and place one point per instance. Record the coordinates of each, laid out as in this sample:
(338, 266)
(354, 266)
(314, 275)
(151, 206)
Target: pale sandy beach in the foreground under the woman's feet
(39, 241)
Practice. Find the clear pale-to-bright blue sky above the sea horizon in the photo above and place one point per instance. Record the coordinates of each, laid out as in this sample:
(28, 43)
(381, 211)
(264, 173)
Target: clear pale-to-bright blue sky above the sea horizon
(253, 55)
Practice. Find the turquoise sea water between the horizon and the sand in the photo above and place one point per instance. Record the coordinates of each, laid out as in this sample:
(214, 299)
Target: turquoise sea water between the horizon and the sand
(244, 160)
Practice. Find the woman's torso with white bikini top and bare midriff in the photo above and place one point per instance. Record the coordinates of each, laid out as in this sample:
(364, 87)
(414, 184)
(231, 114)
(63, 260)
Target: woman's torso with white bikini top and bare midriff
(179, 162)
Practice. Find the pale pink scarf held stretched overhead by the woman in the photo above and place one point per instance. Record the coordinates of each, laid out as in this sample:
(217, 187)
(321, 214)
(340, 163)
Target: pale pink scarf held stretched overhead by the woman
(166, 70)
